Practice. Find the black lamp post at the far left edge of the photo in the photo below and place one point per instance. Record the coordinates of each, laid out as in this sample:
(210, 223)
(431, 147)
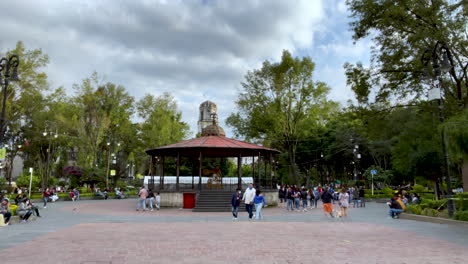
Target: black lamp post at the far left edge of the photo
(8, 73)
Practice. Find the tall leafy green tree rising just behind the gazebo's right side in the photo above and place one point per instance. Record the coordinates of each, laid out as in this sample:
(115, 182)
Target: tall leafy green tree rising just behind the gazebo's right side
(276, 102)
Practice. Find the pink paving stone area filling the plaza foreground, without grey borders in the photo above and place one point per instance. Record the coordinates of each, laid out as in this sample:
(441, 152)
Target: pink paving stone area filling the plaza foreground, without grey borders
(234, 242)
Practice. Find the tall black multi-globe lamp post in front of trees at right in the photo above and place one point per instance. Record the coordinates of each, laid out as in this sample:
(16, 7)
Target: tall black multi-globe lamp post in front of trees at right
(439, 61)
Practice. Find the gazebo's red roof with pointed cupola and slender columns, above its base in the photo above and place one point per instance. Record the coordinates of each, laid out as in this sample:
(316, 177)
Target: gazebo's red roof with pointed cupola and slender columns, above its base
(213, 143)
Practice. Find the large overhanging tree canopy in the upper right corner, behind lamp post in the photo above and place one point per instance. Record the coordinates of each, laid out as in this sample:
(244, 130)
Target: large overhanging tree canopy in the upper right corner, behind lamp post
(403, 31)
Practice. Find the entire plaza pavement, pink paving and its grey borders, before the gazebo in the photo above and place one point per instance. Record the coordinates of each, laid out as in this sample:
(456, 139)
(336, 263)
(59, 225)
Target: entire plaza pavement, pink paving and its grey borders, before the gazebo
(113, 232)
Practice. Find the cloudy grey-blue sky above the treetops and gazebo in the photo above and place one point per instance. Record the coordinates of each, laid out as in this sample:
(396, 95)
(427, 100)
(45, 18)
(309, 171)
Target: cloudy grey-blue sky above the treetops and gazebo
(195, 49)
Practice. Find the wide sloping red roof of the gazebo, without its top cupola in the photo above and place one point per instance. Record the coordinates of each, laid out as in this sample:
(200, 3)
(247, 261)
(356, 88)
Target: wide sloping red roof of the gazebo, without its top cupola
(212, 146)
